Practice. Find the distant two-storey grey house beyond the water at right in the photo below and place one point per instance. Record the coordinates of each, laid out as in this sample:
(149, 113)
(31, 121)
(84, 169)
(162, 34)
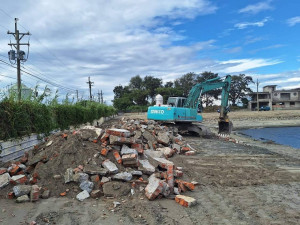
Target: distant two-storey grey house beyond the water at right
(275, 99)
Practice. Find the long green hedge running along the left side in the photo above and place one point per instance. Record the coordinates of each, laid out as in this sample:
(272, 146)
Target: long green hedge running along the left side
(24, 118)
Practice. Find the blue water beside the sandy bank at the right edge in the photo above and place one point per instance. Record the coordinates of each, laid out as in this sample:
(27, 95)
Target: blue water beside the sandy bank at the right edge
(281, 135)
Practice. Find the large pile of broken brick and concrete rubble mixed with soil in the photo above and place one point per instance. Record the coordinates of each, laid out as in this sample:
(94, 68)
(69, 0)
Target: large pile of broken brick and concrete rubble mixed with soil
(93, 162)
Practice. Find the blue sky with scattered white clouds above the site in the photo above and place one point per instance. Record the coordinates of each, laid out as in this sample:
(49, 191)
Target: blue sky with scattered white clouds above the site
(111, 41)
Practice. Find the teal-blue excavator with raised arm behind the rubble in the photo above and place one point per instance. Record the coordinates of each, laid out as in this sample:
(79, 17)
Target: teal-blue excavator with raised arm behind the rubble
(185, 113)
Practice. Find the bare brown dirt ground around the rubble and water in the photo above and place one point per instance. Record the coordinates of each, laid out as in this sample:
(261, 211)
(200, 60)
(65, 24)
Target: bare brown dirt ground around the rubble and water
(248, 182)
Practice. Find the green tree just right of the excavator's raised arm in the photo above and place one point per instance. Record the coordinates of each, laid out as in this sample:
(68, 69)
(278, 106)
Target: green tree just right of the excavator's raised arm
(239, 87)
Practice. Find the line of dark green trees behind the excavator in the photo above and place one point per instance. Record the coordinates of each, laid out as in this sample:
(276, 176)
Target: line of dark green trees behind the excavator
(141, 92)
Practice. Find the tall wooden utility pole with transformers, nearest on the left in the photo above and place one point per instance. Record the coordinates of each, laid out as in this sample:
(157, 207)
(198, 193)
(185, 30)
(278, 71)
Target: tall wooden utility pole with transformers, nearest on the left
(20, 54)
